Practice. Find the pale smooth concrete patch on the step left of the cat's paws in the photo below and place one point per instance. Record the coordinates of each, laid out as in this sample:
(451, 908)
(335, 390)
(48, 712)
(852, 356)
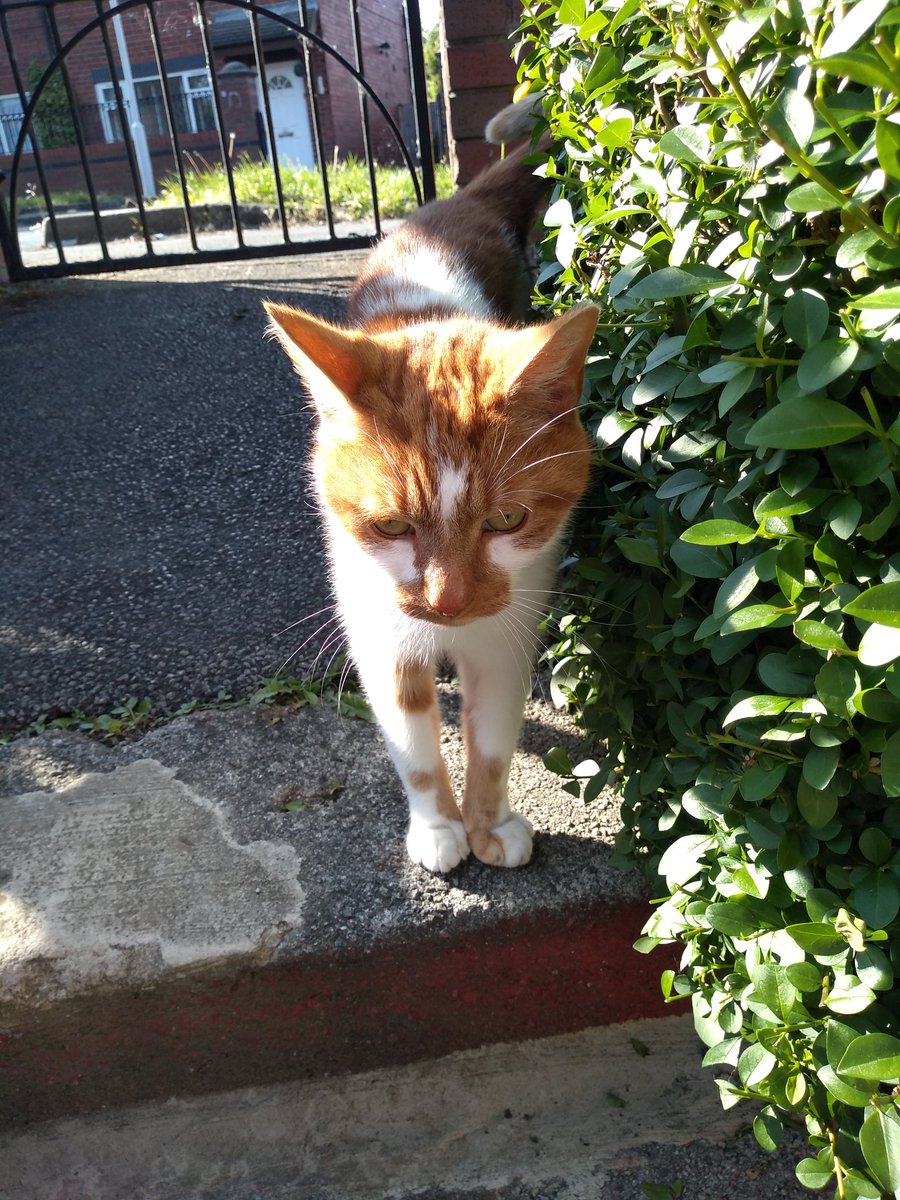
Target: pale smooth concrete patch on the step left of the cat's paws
(131, 875)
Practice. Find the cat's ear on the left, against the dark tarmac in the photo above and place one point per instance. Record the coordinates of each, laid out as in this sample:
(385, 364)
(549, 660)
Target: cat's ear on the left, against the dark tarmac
(335, 363)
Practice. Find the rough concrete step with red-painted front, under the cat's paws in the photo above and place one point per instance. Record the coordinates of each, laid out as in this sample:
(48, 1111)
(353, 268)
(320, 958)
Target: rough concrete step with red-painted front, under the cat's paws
(172, 929)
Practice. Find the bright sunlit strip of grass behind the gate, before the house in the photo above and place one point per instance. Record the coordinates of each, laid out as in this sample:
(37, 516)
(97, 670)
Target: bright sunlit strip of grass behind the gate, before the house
(302, 188)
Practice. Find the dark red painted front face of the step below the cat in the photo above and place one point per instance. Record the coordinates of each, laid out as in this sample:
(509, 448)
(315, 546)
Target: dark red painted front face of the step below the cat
(325, 1015)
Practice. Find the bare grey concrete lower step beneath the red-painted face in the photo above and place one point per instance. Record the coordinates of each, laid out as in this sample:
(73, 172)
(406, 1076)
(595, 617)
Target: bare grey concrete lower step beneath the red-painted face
(578, 1117)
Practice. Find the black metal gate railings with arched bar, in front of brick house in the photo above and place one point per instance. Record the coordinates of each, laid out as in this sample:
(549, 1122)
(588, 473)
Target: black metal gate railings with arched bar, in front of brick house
(28, 140)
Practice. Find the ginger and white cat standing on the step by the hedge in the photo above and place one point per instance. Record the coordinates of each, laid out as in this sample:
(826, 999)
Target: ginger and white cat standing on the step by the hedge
(447, 460)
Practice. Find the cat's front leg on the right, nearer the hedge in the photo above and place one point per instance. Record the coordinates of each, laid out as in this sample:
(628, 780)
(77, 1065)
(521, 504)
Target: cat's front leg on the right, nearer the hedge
(495, 680)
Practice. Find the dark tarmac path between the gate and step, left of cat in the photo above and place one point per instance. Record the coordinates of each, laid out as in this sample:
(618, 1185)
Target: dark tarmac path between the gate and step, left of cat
(157, 531)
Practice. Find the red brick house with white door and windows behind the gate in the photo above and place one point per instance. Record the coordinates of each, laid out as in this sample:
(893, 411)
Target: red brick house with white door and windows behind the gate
(297, 81)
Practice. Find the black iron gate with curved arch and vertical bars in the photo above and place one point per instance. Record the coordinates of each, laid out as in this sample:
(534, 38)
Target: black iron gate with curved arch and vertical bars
(9, 238)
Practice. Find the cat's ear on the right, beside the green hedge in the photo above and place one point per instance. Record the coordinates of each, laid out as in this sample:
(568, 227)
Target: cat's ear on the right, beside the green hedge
(549, 359)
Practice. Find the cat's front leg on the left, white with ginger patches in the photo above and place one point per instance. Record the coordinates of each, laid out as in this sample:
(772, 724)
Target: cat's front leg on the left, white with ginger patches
(405, 701)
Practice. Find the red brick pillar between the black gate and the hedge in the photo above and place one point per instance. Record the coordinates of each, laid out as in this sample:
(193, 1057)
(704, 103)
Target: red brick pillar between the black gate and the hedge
(479, 76)
